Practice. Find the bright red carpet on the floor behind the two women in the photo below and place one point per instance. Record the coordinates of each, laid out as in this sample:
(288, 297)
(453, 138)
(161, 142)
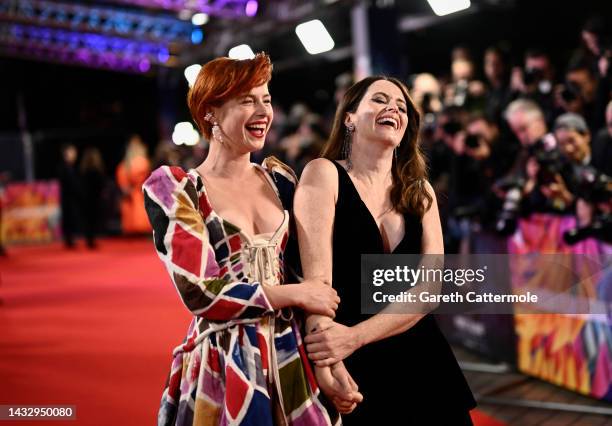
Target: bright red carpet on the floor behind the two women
(91, 329)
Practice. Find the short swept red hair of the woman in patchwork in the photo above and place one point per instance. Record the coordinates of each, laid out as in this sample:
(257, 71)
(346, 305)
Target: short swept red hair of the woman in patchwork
(222, 79)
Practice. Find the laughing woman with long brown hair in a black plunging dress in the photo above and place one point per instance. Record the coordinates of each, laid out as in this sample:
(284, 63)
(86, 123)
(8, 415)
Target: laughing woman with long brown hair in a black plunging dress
(369, 194)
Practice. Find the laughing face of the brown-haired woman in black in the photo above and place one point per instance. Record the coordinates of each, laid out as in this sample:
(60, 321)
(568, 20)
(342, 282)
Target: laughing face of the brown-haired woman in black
(381, 114)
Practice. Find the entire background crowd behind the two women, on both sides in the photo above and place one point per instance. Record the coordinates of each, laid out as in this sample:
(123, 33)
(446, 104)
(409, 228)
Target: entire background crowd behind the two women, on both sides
(501, 143)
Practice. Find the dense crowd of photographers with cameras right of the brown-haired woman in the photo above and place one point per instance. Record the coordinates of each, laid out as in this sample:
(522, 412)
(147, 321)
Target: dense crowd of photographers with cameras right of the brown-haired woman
(521, 141)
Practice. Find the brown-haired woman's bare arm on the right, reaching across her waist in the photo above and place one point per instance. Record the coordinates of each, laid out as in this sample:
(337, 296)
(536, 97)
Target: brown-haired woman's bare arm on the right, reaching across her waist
(336, 342)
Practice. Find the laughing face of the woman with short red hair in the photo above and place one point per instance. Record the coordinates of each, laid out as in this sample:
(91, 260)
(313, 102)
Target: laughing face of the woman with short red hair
(245, 120)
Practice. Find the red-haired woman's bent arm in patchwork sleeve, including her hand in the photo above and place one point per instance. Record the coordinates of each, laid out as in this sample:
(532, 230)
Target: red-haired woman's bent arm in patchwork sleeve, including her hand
(182, 242)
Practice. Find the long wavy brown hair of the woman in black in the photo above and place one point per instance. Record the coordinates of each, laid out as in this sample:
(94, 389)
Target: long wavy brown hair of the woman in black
(409, 171)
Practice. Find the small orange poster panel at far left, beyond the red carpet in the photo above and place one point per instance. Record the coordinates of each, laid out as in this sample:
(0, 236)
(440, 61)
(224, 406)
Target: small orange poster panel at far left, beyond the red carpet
(31, 212)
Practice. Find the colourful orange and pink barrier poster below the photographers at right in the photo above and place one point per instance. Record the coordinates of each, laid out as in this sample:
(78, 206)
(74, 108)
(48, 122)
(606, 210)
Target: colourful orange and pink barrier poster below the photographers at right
(572, 351)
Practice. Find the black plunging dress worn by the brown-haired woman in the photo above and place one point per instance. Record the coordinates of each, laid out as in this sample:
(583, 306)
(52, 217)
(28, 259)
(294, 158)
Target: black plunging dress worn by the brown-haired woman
(409, 379)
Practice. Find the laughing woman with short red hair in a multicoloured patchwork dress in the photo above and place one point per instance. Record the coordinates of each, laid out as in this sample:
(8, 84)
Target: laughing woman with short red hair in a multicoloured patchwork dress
(222, 231)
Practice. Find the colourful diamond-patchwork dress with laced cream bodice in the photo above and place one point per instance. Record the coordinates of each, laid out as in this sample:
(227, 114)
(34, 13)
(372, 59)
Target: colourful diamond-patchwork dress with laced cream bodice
(241, 362)
